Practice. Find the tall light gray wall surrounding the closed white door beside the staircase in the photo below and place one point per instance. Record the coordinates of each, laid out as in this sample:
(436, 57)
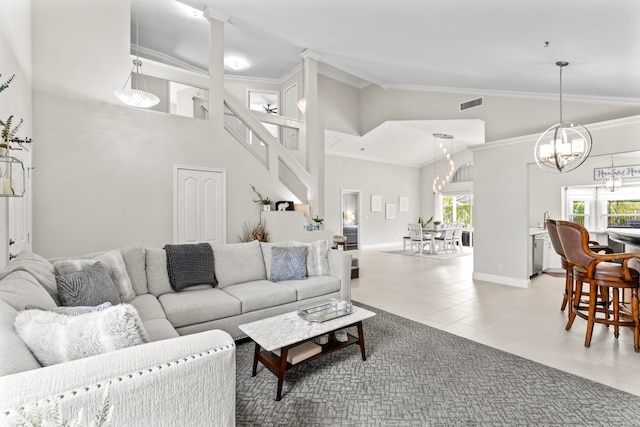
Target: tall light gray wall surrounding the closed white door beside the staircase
(104, 171)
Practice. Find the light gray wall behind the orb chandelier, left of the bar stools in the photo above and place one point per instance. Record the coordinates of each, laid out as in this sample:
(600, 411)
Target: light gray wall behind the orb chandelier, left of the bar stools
(511, 195)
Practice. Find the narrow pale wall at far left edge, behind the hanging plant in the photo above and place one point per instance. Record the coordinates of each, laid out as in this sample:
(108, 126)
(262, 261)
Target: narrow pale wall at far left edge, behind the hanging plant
(15, 58)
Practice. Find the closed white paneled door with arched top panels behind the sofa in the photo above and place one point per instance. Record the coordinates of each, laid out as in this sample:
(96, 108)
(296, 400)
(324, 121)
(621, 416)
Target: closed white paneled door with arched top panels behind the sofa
(199, 205)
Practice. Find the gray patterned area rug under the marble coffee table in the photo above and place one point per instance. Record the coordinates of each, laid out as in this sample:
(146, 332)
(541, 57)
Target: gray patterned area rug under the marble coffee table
(416, 375)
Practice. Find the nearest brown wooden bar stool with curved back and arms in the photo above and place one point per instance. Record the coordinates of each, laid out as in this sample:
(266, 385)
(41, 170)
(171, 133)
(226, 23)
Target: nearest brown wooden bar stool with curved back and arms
(605, 279)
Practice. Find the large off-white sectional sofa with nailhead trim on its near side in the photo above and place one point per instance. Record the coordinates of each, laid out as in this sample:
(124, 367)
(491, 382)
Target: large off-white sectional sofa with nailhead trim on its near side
(185, 374)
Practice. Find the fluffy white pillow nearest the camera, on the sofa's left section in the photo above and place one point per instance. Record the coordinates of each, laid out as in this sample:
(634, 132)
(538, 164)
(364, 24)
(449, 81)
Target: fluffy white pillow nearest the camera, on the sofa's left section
(55, 338)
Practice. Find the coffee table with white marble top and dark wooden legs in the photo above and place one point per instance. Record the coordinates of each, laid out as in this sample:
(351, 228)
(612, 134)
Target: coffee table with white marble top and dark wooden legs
(289, 330)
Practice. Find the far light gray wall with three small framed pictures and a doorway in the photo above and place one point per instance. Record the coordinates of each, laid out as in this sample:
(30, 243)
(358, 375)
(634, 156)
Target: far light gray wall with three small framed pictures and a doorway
(388, 181)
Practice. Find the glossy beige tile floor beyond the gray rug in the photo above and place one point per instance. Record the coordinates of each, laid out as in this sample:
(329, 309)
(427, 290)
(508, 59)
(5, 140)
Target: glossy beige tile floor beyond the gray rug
(525, 322)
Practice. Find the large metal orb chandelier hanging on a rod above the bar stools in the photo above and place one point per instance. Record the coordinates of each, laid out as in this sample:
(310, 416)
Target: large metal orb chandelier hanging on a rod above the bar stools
(564, 146)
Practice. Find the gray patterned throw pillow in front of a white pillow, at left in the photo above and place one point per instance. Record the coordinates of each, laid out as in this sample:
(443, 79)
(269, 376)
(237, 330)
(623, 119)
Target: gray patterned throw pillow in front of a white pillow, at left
(92, 286)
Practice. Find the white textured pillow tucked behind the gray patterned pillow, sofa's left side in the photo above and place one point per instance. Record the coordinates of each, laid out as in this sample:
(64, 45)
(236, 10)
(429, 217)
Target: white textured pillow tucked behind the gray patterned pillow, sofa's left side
(112, 262)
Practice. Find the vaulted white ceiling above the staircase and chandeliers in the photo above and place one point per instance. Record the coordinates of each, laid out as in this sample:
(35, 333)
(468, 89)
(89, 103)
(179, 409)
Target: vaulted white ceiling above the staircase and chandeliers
(477, 46)
